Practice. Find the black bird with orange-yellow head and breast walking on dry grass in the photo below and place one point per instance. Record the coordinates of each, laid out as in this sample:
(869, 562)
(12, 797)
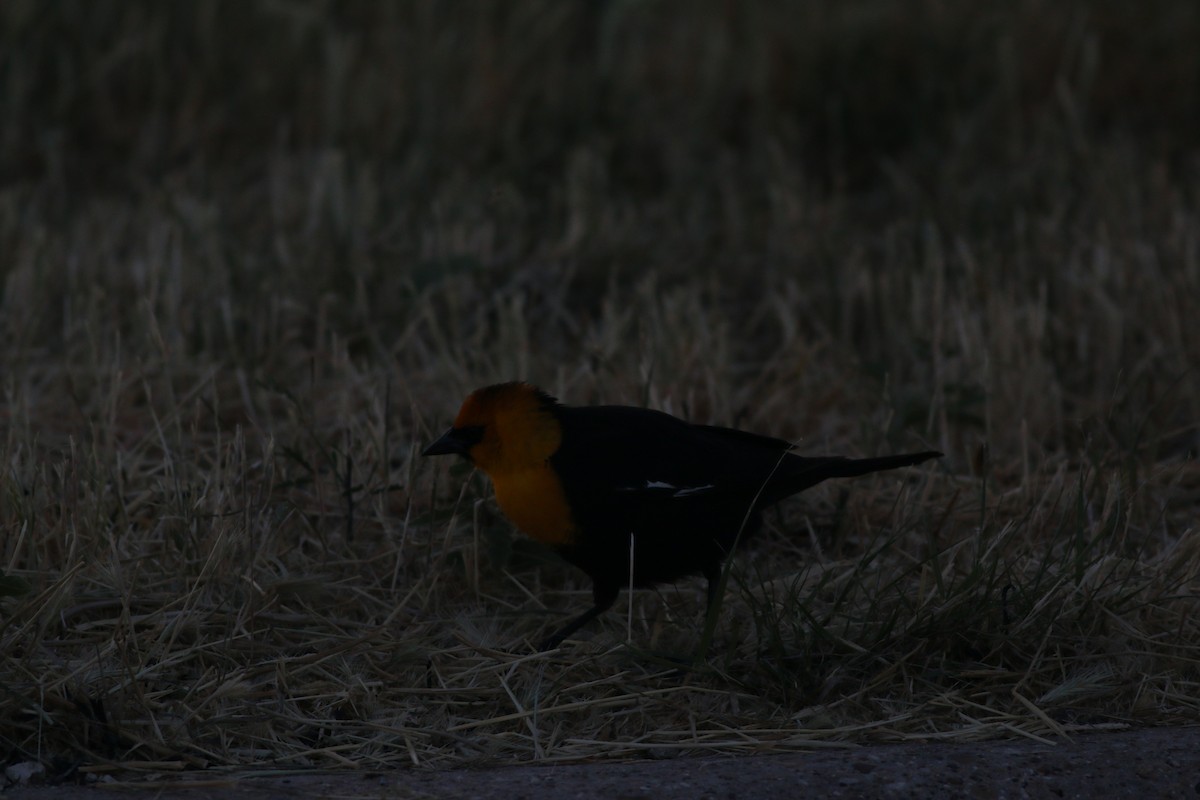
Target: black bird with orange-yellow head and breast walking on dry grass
(608, 485)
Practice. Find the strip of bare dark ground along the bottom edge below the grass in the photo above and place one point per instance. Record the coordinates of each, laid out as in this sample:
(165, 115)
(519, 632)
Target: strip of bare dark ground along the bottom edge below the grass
(1159, 763)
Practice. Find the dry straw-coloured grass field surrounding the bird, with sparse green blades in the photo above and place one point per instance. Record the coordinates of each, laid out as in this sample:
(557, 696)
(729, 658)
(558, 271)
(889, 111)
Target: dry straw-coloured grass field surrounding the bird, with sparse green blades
(255, 256)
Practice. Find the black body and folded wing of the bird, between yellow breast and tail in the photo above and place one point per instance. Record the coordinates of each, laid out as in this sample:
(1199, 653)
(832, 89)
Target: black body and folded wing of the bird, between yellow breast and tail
(682, 491)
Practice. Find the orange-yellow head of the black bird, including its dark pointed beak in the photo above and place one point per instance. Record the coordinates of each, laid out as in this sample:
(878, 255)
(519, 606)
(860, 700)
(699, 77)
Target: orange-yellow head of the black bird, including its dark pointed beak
(503, 429)
